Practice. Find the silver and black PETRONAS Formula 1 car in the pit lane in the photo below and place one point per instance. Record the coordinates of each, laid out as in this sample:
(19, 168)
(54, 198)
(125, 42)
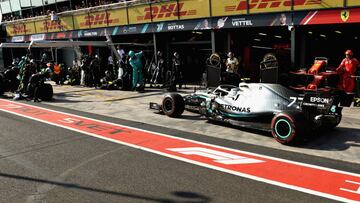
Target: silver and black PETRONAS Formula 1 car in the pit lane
(270, 107)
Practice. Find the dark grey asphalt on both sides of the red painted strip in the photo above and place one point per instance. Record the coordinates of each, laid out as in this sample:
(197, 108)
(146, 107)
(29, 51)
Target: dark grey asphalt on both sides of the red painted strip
(43, 163)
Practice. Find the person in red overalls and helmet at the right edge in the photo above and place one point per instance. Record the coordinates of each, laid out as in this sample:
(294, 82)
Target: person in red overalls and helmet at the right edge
(346, 70)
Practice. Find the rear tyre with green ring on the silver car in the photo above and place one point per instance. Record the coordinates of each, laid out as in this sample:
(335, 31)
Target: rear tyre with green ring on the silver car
(288, 128)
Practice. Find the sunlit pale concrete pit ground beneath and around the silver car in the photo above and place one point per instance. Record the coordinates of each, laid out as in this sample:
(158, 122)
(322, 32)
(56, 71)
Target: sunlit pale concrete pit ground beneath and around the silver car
(343, 143)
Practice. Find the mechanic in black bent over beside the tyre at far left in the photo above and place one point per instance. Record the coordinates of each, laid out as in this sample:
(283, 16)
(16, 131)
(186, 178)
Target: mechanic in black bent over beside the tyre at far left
(35, 81)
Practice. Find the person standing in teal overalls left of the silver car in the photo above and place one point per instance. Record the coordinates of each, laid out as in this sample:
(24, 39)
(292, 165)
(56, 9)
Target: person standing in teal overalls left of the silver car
(137, 66)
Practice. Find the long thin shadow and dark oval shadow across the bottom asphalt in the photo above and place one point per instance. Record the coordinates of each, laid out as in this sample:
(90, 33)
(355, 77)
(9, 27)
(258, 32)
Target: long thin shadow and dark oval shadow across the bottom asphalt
(190, 196)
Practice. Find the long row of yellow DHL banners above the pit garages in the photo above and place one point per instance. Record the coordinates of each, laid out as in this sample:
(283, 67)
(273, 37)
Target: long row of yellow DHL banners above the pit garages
(173, 10)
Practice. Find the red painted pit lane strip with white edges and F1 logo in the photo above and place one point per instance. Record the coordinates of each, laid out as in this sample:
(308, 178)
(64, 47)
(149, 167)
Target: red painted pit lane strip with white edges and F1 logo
(316, 180)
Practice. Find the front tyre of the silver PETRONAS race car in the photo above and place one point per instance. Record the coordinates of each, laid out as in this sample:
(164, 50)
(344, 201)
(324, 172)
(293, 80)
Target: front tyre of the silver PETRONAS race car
(173, 105)
